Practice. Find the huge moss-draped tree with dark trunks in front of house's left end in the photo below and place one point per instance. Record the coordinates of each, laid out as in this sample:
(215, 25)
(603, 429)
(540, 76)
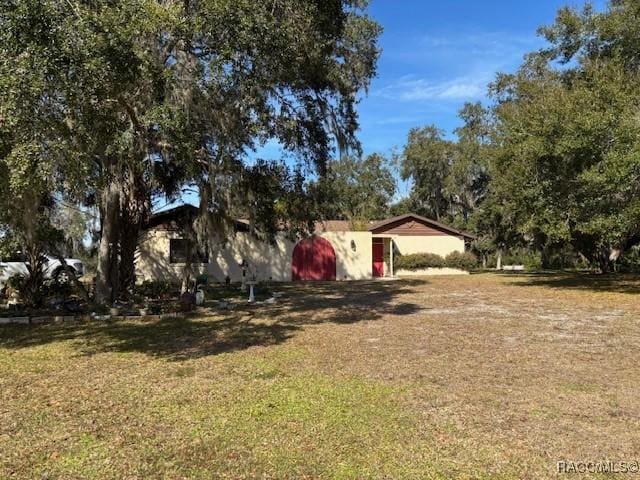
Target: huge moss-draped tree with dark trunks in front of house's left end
(117, 103)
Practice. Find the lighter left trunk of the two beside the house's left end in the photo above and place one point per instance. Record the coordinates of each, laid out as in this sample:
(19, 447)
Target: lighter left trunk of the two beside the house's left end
(107, 274)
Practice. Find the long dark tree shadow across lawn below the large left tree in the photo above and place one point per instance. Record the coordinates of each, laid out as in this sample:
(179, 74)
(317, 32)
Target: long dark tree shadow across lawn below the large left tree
(211, 332)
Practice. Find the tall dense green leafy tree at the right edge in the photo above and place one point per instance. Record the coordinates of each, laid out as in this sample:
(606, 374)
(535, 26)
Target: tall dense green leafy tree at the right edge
(568, 166)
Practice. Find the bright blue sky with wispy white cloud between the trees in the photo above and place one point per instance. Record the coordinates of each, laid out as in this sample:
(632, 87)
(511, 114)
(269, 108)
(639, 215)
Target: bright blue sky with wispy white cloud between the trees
(436, 55)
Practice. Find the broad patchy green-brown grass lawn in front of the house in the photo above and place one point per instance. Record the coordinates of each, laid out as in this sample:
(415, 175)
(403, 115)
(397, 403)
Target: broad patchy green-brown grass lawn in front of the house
(480, 376)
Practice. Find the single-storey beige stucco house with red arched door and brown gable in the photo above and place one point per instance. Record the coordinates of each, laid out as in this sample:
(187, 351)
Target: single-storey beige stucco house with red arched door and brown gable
(334, 252)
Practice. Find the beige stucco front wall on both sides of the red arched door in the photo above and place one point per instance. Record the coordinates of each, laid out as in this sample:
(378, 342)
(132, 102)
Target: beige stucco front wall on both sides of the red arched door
(269, 261)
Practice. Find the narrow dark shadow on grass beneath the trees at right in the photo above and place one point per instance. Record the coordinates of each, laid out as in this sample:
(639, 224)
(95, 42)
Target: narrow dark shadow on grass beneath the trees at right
(591, 282)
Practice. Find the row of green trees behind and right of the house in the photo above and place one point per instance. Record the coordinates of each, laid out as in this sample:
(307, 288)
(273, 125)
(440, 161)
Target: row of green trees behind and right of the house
(552, 165)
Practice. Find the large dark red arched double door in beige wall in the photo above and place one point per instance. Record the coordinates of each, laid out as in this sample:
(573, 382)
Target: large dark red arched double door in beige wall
(313, 259)
